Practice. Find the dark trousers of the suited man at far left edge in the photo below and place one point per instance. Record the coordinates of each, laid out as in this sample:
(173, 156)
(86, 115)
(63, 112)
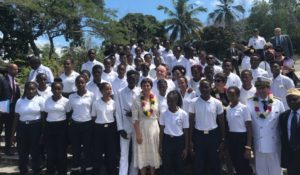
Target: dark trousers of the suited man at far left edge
(7, 121)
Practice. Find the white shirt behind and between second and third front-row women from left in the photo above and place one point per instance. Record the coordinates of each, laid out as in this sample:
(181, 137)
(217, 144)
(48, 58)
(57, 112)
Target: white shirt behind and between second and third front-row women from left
(69, 82)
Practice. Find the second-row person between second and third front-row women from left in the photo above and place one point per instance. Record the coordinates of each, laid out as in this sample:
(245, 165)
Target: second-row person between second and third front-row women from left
(68, 77)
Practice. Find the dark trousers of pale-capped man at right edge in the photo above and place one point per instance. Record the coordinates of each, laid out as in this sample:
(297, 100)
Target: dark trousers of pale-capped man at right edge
(293, 166)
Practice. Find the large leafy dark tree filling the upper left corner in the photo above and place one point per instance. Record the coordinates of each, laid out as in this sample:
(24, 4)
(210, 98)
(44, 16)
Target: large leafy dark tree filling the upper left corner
(32, 19)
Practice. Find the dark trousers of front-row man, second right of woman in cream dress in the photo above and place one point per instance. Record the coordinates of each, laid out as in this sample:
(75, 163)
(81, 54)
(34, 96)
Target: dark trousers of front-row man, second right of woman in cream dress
(206, 151)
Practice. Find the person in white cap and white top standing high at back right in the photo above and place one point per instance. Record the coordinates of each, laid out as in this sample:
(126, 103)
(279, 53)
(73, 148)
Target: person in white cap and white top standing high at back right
(257, 42)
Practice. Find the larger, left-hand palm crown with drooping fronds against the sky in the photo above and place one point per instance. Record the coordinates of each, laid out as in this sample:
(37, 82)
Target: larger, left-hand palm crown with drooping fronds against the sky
(182, 22)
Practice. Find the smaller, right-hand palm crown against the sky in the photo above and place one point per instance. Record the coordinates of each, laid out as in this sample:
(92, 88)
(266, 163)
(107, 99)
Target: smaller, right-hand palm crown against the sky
(226, 13)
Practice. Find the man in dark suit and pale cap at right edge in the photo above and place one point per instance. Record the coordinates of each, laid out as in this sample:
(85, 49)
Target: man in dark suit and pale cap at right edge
(290, 133)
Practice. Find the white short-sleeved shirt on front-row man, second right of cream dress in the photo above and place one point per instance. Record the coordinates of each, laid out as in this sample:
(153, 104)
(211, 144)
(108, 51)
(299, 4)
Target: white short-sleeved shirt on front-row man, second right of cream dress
(206, 113)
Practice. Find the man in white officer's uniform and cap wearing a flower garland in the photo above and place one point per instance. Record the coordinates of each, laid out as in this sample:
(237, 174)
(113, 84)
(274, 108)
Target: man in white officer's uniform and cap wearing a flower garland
(265, 110)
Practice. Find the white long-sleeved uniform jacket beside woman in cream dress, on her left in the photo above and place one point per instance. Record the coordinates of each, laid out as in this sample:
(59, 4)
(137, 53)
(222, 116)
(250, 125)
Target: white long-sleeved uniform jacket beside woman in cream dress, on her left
(124, 99)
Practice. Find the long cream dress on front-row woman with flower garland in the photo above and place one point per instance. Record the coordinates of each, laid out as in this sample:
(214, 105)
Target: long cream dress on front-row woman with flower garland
(147, 153)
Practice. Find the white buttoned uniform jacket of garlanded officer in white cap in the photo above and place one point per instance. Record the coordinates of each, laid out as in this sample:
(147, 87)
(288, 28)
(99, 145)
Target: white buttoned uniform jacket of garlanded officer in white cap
(266, 131)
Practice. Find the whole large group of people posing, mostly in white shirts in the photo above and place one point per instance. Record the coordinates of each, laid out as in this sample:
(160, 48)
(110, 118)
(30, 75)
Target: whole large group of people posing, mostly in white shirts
(140, 110)
